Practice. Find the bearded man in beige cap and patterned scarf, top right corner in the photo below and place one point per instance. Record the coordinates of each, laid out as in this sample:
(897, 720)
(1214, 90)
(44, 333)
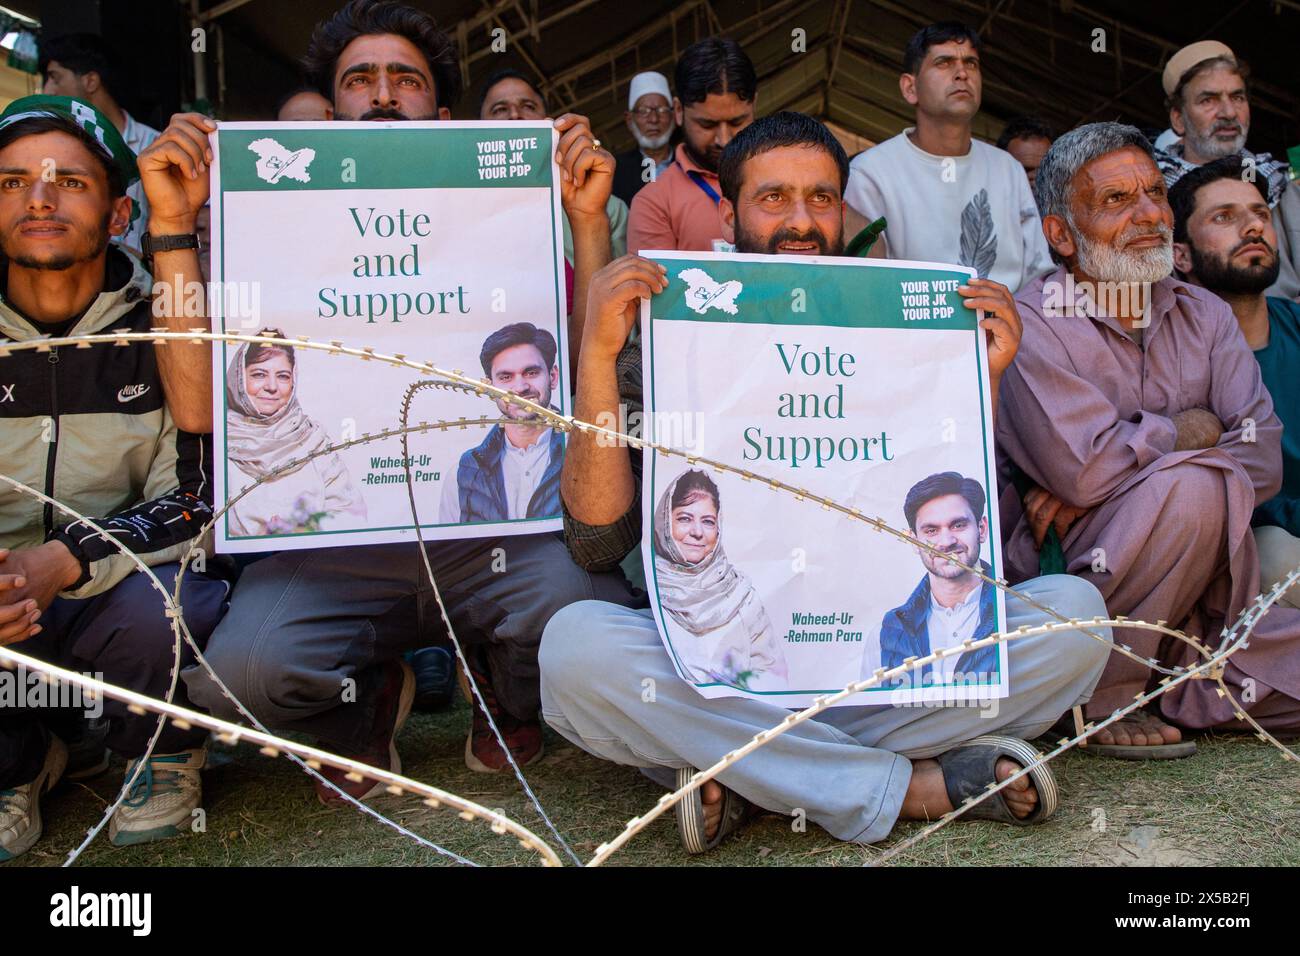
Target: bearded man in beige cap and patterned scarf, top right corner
(1210, 107)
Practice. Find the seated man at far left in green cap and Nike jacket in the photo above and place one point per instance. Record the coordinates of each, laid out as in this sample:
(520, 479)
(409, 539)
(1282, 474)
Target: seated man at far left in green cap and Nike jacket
(89, 427)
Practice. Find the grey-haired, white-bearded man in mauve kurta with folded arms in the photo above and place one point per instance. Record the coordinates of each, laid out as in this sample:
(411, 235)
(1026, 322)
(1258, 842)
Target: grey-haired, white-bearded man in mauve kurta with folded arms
(1138, 410)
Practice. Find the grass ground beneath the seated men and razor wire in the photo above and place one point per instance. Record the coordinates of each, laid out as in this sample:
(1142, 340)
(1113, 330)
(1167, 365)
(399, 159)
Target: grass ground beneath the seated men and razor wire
(1236, 803)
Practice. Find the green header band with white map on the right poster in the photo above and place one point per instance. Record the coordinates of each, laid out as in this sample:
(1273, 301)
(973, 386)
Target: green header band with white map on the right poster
(765, 292)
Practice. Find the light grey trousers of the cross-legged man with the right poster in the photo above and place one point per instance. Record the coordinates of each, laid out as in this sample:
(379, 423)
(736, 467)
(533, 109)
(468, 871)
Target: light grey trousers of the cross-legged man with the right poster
(847, 769)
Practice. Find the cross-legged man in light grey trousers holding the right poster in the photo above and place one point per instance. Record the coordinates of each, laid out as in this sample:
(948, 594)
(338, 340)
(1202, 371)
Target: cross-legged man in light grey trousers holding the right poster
(855, 771)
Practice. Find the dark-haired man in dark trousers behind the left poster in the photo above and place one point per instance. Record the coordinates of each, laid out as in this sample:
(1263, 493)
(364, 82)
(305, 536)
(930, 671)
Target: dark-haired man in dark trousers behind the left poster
(317, 637)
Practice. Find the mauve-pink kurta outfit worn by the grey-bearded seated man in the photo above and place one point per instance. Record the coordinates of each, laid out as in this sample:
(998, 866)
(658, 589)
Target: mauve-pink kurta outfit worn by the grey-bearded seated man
(1086, 413)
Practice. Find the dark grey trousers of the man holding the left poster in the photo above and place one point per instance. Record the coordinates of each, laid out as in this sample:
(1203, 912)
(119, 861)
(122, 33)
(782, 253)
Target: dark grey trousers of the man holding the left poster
(306, 629)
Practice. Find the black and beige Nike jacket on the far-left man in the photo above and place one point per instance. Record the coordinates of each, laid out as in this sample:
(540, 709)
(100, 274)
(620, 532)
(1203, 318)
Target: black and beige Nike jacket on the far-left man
(90, 429)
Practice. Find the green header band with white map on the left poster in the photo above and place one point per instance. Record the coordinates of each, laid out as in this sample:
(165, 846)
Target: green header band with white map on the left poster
(284, 158)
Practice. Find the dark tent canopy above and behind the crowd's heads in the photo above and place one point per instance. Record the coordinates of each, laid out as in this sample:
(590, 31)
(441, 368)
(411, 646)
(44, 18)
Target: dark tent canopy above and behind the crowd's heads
(1065, 62)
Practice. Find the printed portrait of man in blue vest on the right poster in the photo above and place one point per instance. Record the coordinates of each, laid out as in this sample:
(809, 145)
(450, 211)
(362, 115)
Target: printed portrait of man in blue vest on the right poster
(951, 605)
